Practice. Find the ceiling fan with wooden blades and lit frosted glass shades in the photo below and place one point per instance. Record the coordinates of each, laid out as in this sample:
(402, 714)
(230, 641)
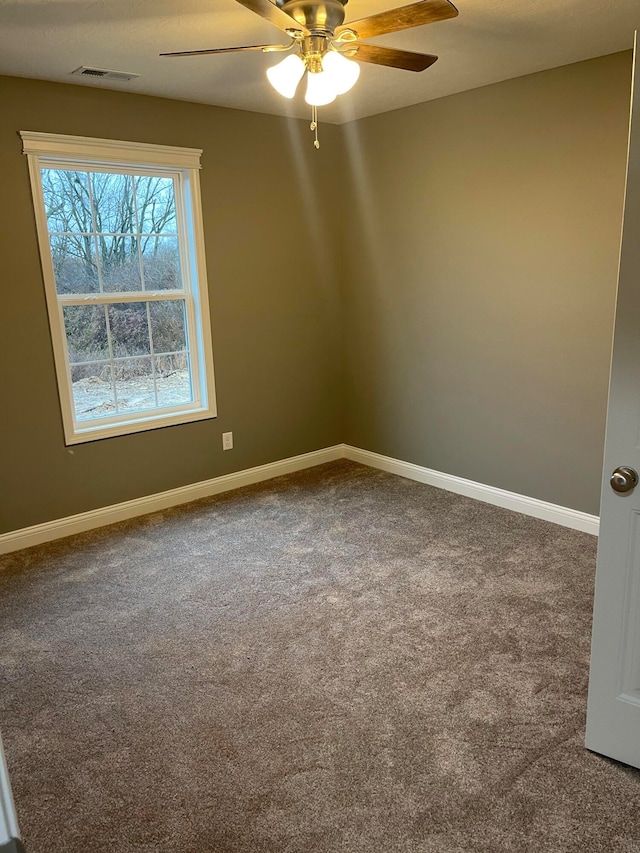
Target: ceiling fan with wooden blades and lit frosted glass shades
(325, 48)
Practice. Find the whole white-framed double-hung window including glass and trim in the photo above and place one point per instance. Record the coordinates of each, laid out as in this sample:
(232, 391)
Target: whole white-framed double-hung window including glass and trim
(120, 233)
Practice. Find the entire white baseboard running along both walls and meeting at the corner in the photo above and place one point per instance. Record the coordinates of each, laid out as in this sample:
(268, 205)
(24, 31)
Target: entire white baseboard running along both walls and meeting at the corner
(50, 530)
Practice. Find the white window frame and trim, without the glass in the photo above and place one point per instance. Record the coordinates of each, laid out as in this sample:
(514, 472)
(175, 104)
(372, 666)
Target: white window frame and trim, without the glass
(49, 150)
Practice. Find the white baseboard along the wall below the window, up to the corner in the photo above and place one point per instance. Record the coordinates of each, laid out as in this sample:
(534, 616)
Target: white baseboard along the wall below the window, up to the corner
(49, 530)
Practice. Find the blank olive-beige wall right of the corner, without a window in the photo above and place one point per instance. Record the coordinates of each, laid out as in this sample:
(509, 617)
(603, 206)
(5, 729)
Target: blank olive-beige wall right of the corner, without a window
(480, 279)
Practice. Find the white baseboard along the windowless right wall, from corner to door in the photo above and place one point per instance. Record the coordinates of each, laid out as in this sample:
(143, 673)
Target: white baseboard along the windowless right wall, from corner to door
(489, 494)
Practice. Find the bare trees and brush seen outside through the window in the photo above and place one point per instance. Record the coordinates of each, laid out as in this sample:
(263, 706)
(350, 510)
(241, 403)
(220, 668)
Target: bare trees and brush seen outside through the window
(115, 232)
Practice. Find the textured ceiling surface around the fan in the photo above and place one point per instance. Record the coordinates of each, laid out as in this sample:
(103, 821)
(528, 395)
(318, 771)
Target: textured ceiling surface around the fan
(491, 40)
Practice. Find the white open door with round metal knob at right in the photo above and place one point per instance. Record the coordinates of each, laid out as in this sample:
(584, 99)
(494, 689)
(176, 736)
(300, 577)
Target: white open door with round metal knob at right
(613, 713)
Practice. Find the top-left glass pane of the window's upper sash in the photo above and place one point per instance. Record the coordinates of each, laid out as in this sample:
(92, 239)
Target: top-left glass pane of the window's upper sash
(66, 200)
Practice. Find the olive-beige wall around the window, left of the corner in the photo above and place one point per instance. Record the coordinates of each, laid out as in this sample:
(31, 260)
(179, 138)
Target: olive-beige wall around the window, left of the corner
(273, 295)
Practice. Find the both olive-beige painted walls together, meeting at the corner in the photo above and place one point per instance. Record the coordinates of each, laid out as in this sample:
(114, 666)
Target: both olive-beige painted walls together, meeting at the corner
(475, 251)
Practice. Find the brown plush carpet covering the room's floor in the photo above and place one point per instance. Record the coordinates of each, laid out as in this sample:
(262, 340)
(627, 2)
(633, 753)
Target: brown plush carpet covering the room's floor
(337, 661)
